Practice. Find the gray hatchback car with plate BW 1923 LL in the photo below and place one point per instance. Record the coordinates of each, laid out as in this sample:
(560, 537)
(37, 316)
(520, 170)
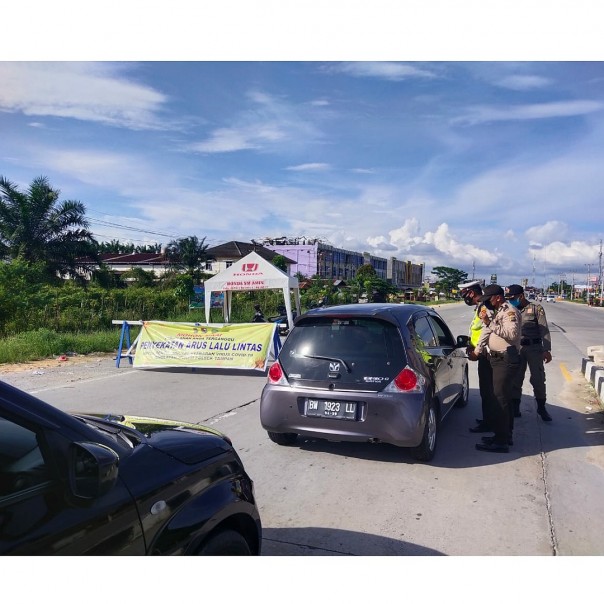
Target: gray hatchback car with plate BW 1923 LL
(381, 373)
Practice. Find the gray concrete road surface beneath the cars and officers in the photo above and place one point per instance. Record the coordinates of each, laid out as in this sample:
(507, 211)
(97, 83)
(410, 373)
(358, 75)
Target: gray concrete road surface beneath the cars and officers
(544, 498)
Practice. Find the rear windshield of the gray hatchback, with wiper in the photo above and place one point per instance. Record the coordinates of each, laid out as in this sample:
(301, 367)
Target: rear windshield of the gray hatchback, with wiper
(364, 350)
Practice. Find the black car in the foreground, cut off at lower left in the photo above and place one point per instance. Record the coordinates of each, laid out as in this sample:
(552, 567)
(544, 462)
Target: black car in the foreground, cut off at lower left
(87, 484)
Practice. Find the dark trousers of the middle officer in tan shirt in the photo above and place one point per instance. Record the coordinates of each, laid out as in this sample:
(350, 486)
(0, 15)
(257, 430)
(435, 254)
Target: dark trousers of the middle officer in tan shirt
(504, 373)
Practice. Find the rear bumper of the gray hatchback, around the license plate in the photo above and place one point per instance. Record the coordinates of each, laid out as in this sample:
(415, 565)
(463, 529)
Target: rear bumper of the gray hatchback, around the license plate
(397, 419)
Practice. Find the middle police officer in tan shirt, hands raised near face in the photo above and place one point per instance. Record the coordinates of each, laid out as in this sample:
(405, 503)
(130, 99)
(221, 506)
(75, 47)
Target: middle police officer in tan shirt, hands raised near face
(500, 336)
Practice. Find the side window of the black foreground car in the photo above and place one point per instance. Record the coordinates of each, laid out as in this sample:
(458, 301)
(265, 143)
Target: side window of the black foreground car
(22, 464)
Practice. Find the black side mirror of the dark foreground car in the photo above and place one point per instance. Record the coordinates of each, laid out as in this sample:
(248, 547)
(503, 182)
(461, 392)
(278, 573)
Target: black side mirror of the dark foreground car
(92, 469)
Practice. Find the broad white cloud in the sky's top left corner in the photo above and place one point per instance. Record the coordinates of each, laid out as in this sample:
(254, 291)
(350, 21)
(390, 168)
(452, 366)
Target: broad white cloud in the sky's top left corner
(93, 92)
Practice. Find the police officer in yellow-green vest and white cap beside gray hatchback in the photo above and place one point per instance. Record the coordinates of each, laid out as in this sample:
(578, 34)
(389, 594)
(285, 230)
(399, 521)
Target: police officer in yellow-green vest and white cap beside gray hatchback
(470, 292)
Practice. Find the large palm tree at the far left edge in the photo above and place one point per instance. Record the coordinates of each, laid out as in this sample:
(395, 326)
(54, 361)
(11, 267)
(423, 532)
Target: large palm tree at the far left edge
(36, 227)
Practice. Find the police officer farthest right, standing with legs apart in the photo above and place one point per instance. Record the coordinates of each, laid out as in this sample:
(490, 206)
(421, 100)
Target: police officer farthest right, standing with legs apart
(535, 350)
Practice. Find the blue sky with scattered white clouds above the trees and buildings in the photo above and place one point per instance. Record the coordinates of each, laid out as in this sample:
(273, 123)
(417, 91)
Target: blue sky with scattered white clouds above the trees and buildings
(487, 166)
